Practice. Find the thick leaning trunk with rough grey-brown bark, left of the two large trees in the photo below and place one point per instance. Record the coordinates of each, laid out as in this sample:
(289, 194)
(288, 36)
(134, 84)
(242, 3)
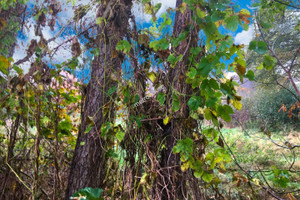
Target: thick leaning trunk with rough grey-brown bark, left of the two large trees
(88, 166)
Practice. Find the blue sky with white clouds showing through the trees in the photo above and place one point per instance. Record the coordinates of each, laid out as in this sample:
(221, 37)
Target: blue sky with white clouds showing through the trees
(64, 52)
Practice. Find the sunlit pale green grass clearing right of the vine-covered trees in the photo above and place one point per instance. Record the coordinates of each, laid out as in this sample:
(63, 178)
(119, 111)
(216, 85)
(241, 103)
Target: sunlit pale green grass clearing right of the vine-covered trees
(255, 152)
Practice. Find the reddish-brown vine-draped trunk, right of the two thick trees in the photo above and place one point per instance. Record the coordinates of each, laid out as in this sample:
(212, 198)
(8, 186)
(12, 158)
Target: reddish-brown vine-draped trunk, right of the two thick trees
(174, 178)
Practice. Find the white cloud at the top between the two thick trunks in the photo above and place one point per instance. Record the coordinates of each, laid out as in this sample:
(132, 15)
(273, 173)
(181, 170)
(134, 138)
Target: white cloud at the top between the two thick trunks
(140, 15)
